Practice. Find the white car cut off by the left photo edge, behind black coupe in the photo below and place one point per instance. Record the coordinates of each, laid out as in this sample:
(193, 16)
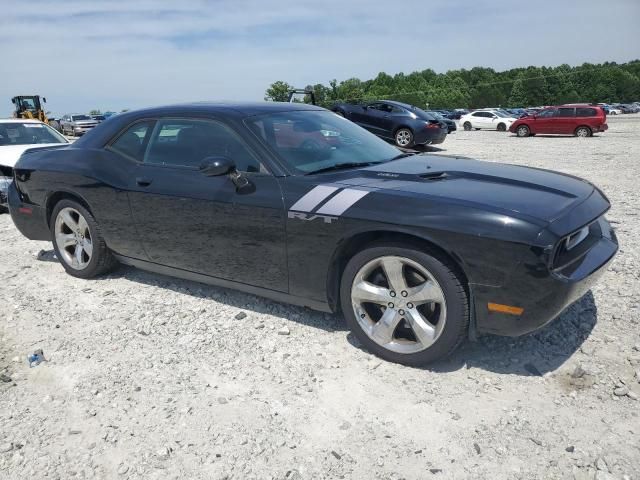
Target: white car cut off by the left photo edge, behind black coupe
(16, 136)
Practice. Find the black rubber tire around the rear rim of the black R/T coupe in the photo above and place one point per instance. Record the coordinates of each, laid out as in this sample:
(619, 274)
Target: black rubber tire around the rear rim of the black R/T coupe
(101, 261)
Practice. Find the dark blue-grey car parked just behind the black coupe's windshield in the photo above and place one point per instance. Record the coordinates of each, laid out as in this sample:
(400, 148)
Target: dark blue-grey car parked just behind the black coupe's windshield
(405, 124)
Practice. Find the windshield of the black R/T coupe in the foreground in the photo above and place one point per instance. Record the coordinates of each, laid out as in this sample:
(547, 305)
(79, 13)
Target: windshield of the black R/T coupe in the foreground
(308, 141)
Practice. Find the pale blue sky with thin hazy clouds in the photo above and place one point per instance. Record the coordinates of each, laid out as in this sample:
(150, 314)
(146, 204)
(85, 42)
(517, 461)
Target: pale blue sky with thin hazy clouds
(116, 54)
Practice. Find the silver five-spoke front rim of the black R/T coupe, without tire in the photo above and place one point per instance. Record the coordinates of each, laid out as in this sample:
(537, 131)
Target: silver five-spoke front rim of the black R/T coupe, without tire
(399, 304)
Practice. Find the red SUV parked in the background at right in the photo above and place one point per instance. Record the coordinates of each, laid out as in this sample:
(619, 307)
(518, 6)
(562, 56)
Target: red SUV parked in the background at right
(578, 120)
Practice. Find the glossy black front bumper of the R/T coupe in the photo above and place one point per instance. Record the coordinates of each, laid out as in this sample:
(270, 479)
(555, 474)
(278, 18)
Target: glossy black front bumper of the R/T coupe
(543, 296)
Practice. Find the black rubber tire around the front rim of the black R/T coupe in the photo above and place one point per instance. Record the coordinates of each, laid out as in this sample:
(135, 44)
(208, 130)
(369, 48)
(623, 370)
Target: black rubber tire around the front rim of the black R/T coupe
(457, 305)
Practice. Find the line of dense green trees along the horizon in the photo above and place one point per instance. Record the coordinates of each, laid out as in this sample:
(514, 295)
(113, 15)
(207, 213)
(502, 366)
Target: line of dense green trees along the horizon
(479, 87)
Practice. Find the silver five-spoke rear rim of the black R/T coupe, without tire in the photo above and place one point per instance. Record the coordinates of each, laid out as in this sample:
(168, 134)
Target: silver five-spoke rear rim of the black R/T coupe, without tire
(73, 238)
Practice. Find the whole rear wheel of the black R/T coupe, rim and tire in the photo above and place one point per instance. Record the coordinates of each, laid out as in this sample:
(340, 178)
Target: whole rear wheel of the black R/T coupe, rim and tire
(78, 241)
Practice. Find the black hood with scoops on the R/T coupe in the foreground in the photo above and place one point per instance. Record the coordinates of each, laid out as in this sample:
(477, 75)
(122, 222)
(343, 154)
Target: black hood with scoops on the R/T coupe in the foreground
(520, 191)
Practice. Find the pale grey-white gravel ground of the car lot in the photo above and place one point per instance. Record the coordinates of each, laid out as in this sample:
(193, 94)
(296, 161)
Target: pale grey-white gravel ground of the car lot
(148, 377)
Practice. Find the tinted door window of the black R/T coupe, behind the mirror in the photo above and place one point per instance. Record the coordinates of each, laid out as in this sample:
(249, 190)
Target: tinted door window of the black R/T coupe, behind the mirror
(187, 142)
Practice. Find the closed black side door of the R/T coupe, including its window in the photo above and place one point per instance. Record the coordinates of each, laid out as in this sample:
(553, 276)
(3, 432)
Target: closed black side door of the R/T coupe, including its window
(206, 224)
